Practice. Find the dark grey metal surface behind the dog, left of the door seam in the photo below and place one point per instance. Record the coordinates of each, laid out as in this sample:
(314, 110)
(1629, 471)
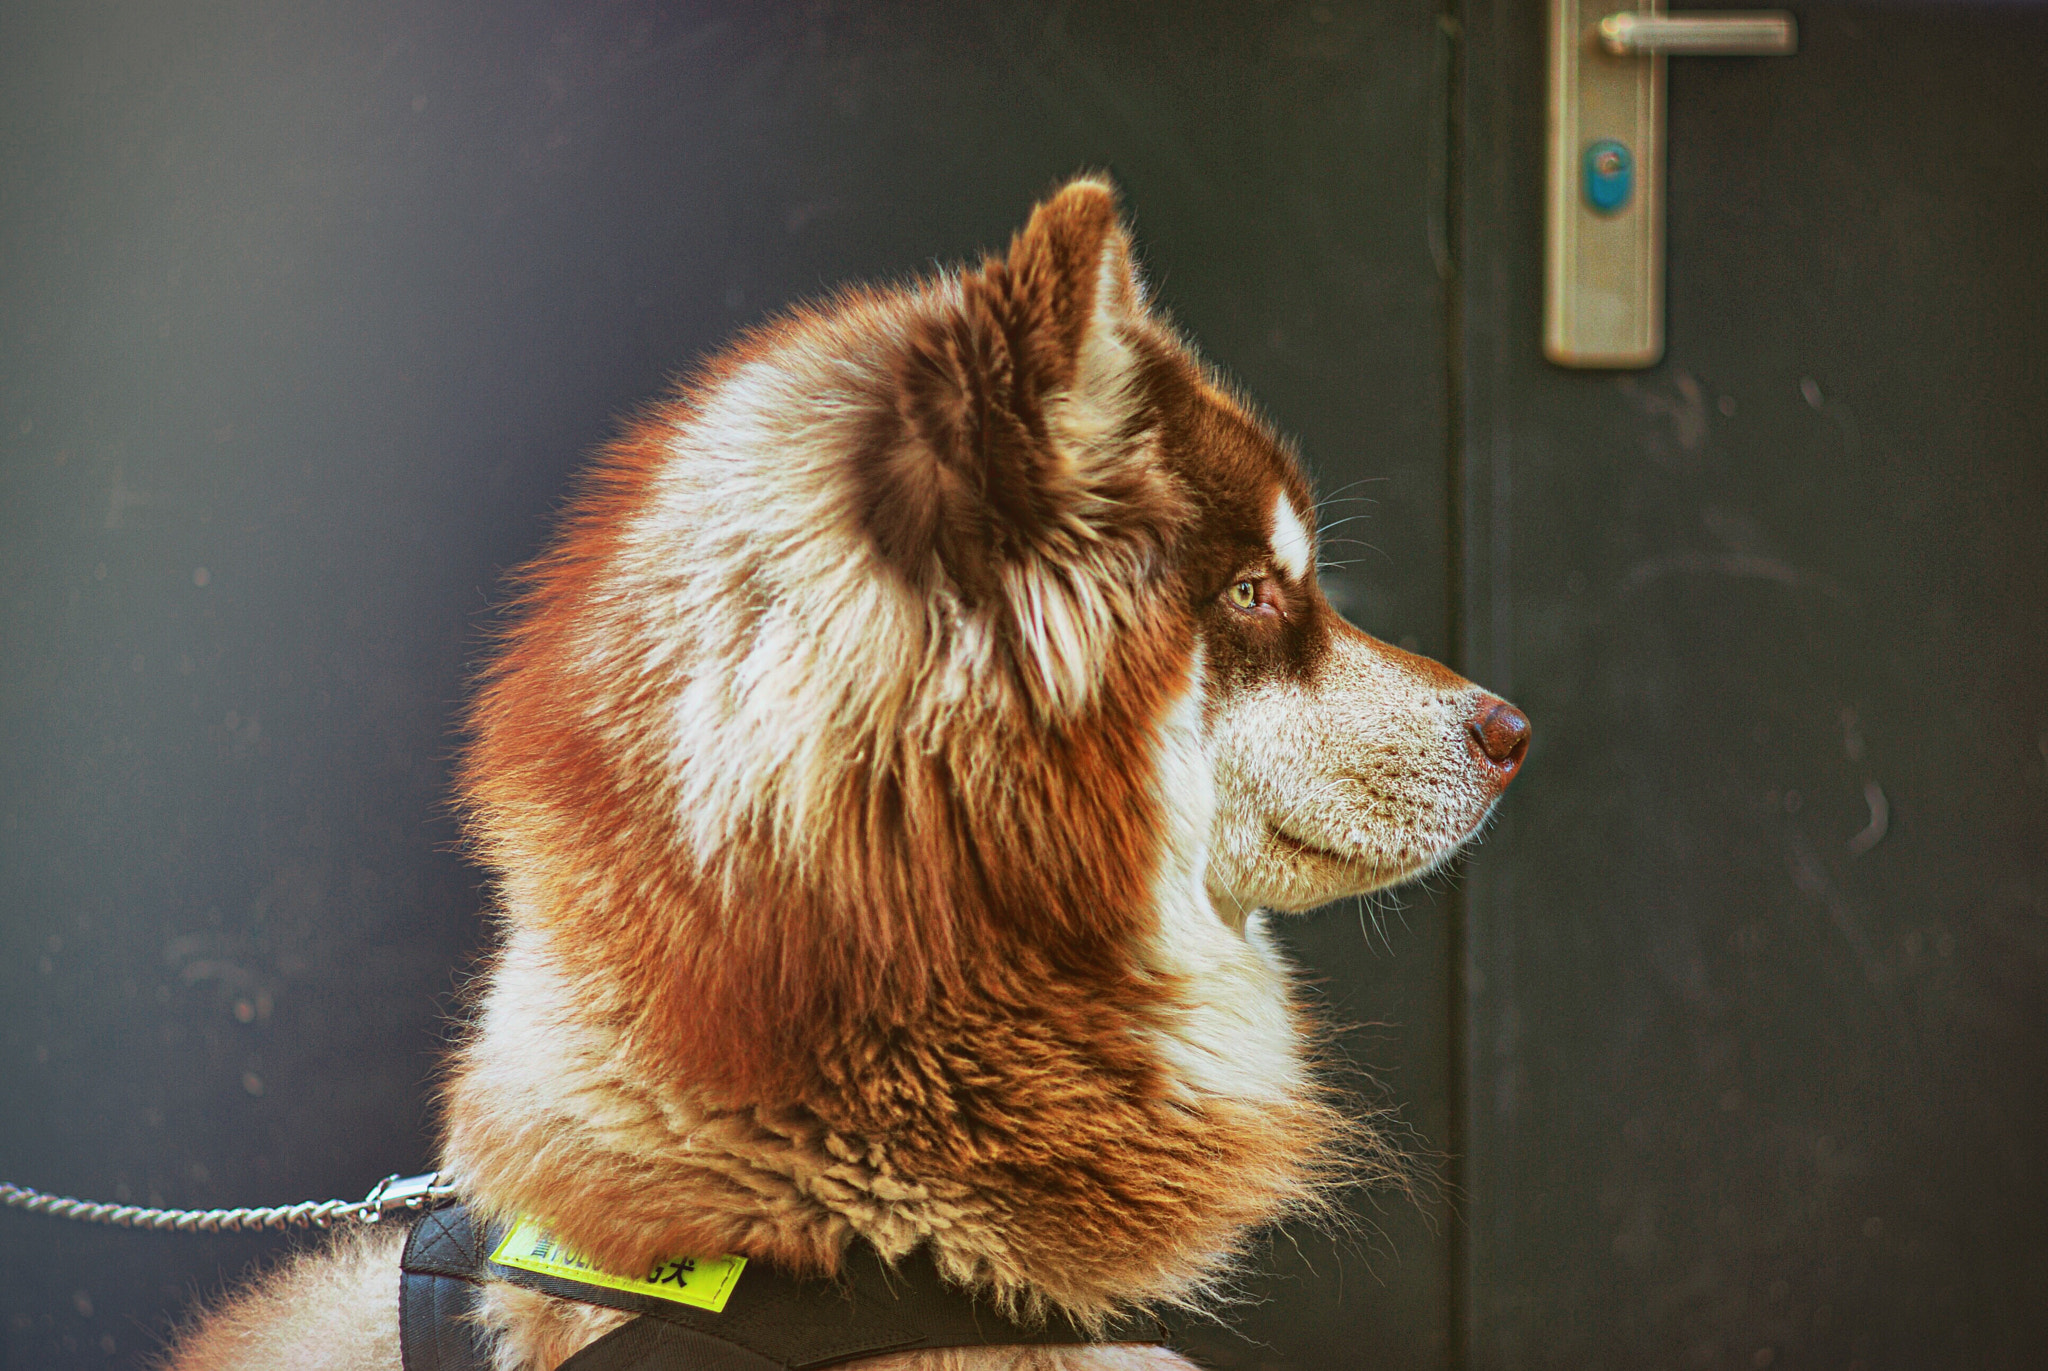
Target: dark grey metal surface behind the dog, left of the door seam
(310, 317)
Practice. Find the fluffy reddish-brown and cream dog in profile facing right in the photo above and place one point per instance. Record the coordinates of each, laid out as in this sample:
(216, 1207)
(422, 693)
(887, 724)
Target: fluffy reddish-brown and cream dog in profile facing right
(888, 780)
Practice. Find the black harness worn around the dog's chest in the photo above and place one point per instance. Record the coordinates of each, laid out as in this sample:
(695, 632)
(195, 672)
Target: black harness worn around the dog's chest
(771, 1323)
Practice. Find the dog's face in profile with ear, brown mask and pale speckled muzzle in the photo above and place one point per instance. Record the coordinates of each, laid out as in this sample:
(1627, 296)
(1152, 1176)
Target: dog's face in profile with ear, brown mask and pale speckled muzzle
(1062, 474)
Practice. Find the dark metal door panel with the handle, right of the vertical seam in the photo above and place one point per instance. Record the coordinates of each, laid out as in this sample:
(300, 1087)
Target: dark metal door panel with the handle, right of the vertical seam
(1758, 964)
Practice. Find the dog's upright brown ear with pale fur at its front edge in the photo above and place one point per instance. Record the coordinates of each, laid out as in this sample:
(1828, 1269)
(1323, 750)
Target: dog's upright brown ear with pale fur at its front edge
(1017, 413)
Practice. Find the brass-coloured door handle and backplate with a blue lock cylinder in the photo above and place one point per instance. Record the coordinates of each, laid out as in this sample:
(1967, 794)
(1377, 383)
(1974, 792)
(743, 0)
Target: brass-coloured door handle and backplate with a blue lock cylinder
(1605, 226)
